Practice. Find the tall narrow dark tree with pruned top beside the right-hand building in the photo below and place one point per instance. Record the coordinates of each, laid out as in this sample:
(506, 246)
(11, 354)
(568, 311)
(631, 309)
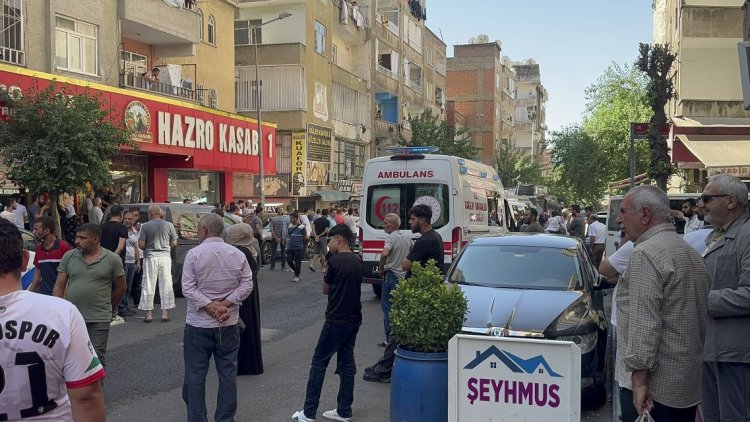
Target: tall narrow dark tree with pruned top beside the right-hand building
(656, 63)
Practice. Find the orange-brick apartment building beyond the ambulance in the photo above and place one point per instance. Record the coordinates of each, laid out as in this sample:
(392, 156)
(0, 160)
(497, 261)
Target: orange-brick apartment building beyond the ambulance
(482, 86)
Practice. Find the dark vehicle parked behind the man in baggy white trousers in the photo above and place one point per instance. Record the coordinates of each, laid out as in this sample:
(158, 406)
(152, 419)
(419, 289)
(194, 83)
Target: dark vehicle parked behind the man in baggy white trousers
(185, 218)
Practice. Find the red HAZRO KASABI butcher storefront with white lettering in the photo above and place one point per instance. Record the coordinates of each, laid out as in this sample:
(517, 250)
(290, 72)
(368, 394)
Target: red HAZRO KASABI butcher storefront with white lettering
(184, 151)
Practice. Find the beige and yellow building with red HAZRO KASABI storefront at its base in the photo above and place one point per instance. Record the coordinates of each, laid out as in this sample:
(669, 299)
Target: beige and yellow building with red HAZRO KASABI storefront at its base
(190, 145)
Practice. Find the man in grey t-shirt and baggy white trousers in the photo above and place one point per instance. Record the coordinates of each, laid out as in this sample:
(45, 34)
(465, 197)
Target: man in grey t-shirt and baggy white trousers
(156, 240)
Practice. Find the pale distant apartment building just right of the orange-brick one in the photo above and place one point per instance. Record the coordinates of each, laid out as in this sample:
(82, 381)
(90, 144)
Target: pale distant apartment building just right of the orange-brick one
(531, 117)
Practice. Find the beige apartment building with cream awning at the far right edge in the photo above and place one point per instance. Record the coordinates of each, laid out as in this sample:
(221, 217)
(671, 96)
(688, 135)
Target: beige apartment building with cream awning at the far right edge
(709, 127)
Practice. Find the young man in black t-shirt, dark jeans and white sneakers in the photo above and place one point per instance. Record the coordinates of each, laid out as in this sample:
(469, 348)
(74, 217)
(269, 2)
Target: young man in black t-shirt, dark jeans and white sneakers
(343, 318)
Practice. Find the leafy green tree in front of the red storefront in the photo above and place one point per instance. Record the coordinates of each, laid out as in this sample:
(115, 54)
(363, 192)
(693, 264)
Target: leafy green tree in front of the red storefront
(57, 141)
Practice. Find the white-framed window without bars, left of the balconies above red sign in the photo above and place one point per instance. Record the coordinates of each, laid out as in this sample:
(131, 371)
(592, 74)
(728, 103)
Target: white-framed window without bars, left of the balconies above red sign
(76, 46)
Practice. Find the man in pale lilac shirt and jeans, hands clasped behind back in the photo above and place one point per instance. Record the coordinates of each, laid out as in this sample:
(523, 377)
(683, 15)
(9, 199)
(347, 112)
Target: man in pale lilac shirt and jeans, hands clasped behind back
(215, 280)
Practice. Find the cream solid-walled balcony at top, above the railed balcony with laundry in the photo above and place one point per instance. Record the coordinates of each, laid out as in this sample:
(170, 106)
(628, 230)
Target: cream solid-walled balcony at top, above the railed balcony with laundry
(172, 26)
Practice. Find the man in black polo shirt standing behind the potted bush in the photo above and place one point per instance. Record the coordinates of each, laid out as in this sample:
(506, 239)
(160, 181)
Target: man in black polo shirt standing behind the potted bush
(428, 246)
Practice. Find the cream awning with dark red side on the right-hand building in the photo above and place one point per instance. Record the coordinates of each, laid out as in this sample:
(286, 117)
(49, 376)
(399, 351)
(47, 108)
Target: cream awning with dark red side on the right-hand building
(713, 151)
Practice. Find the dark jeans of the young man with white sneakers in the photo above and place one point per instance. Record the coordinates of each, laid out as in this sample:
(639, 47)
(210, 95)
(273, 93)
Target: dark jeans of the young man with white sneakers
(338, 338)
